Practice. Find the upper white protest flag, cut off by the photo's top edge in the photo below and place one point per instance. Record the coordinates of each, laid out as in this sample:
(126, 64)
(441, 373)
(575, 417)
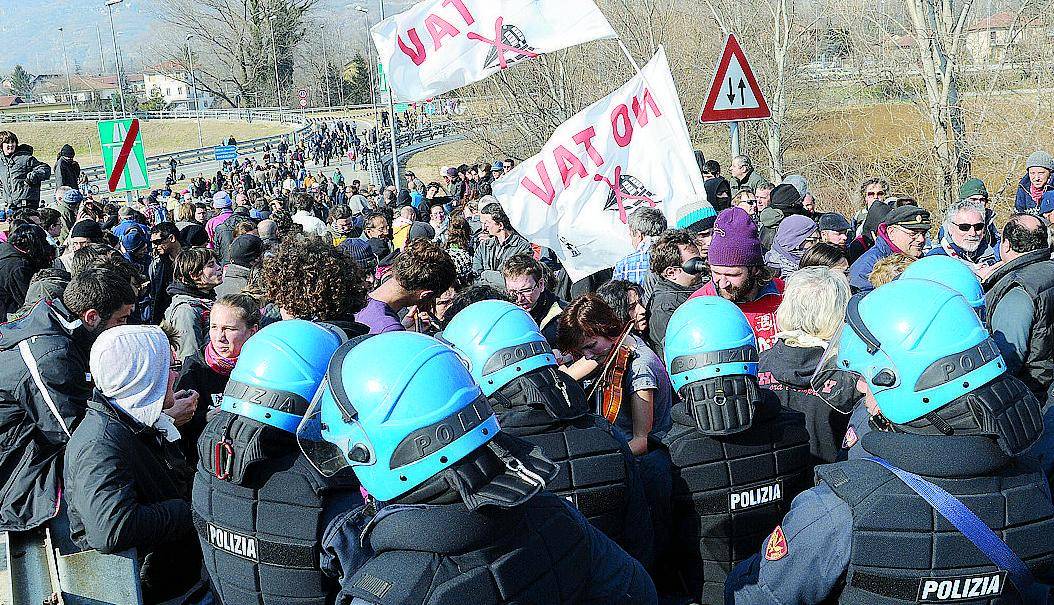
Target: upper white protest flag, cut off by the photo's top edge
(439, 46)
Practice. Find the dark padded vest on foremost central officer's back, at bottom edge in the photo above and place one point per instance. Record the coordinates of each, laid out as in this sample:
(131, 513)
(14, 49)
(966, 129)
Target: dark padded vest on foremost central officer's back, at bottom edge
(537, 553)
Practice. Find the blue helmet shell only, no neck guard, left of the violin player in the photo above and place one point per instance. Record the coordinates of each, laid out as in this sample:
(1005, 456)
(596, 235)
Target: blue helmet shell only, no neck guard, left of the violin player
(500, 342)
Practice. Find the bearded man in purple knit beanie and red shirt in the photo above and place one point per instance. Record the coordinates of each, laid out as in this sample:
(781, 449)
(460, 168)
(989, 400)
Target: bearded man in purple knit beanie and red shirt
(739, 275)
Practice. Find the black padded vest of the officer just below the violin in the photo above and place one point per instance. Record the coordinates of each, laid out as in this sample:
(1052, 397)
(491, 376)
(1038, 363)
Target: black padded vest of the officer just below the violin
(596, 475)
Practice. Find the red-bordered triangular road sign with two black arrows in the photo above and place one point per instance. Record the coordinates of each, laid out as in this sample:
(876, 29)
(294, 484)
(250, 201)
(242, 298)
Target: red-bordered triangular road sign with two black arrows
(735, 94)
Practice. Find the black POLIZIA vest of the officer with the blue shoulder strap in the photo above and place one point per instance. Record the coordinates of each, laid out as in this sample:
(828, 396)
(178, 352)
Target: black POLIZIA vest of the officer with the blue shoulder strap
(905, 552)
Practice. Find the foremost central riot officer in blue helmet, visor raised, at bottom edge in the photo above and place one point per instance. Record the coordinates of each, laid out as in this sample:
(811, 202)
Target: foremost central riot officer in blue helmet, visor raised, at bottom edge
(462, 514)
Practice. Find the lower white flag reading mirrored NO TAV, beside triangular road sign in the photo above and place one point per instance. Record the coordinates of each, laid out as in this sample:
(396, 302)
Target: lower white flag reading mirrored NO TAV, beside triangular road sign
(628, 151)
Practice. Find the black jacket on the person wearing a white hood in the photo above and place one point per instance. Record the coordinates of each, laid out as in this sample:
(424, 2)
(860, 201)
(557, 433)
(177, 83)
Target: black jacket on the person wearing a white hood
(127, 487)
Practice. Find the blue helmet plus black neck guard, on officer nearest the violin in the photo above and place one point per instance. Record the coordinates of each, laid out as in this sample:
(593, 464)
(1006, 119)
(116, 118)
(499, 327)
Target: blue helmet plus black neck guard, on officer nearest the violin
(510, 358)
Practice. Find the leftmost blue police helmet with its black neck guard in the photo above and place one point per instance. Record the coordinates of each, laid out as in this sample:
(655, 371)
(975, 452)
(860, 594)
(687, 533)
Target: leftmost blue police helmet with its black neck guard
(279, 374)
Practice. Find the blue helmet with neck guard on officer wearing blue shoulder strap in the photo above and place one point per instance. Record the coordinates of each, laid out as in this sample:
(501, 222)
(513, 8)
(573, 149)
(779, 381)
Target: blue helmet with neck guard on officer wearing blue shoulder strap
(930, 365)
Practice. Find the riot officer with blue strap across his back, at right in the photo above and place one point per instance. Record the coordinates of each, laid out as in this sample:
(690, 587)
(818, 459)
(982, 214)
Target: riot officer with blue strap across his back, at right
(941, 510)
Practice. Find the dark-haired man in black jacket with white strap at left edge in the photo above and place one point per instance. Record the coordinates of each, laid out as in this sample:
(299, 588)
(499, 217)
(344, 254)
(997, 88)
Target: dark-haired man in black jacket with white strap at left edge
(45, 387)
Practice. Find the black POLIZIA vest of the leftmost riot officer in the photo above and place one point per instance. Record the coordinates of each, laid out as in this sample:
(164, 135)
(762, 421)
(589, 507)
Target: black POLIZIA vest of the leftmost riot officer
(261, 536)
